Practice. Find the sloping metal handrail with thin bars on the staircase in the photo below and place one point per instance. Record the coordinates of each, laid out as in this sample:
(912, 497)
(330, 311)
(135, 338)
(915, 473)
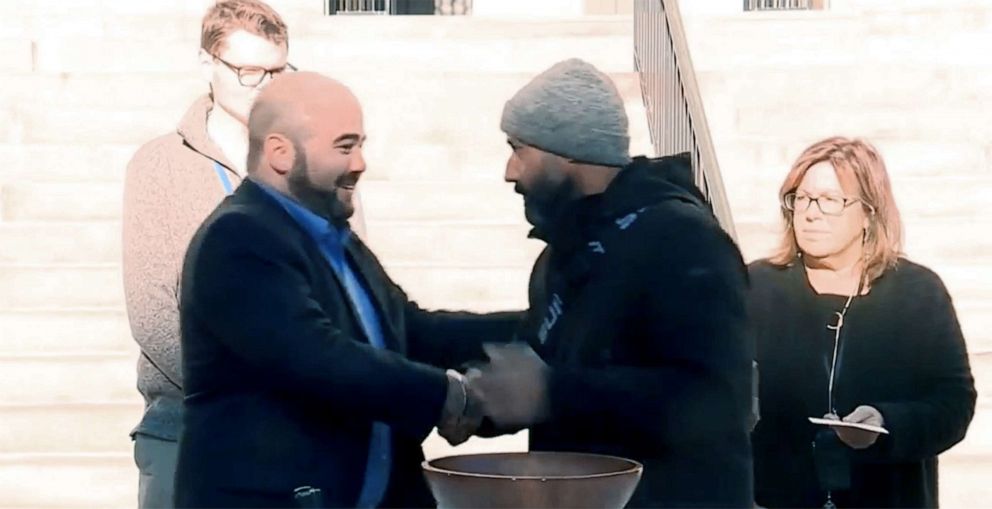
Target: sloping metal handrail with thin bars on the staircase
(676, 118)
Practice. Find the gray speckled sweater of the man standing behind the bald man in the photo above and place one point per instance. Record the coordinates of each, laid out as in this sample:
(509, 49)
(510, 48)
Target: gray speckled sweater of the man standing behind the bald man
(170, 187)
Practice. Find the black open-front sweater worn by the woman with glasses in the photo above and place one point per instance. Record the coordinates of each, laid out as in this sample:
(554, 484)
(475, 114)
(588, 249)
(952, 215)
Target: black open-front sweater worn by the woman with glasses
(901, 352)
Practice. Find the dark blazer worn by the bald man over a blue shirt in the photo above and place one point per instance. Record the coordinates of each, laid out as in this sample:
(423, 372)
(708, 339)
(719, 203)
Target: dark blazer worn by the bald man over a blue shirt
(281, 384)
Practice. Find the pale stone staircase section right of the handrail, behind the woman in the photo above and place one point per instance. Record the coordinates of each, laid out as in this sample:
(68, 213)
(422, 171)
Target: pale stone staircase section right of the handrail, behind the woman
(911, 77)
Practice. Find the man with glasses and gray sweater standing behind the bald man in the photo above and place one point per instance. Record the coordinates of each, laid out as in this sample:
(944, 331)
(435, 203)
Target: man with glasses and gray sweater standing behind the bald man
(172, 184)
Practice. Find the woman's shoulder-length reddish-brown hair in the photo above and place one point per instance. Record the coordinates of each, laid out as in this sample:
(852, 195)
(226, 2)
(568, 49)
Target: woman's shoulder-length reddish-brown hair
(858, 161)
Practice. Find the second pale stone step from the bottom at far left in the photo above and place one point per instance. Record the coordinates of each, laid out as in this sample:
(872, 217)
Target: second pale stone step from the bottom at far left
(55, 429)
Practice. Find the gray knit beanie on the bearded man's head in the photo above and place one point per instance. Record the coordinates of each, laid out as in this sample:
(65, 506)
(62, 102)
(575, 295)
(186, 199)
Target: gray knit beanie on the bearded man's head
(573, 110)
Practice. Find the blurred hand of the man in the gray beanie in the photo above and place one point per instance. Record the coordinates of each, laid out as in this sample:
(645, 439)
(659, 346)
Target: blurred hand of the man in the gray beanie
(512, 390)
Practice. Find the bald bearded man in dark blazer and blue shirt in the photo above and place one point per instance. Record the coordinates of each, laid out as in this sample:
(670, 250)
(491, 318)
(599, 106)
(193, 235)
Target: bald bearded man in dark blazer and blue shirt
(305, 365)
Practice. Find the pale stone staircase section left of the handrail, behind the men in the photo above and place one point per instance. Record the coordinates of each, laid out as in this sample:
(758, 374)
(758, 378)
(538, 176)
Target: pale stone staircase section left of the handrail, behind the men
(85, 86)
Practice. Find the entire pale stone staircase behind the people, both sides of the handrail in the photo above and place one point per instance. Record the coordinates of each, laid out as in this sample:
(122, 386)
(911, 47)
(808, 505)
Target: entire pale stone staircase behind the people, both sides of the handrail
(84, 86)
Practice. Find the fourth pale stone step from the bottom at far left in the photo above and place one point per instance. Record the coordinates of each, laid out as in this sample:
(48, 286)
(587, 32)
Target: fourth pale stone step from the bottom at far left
(59, 330)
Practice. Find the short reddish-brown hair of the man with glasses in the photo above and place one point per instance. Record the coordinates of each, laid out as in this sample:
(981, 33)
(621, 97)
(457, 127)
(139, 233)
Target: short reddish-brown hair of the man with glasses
(252, 16)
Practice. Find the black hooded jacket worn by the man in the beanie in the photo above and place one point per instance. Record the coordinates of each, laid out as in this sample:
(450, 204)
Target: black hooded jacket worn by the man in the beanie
(637, 304)
